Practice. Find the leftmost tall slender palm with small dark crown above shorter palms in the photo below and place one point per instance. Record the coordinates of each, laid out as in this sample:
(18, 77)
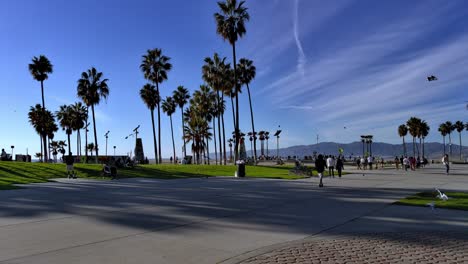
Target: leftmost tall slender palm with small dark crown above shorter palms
(40, 68)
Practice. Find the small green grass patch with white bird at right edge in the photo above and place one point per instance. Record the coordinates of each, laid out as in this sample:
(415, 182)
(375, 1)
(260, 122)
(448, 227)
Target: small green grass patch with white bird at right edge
(456, 200)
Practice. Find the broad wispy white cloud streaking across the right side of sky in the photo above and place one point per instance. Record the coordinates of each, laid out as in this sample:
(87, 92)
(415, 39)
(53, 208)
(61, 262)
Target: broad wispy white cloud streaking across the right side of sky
(375, 81)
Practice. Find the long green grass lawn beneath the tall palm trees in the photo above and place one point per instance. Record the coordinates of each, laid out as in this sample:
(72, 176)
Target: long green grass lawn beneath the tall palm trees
(23, 173)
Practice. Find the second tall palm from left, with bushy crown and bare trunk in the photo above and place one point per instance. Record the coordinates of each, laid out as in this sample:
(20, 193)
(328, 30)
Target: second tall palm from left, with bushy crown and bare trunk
(91, 89)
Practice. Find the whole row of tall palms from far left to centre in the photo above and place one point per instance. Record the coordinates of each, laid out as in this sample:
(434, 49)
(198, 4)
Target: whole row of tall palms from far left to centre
(207, 104)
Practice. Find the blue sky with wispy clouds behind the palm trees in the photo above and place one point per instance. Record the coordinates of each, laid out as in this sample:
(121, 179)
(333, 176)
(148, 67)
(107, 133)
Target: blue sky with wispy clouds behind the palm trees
(321, 65)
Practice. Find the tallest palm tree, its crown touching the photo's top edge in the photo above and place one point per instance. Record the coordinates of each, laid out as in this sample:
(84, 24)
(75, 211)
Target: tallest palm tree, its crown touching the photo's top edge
(231, 26)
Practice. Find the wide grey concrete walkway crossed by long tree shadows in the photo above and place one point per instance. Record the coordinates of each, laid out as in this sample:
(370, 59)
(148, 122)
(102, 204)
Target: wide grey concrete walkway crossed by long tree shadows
(220, 219)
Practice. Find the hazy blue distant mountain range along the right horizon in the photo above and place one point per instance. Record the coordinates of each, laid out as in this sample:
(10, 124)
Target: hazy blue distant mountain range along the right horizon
(379, 149)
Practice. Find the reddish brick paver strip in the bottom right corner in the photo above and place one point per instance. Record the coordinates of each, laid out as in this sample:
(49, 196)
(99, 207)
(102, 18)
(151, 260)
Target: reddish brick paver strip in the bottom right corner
(373, 248)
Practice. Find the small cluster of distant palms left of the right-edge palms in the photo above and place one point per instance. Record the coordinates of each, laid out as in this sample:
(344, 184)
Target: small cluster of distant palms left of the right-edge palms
(417, 128)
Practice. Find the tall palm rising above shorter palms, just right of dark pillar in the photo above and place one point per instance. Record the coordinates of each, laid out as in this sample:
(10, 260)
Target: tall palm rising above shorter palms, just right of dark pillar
(155, 67)
